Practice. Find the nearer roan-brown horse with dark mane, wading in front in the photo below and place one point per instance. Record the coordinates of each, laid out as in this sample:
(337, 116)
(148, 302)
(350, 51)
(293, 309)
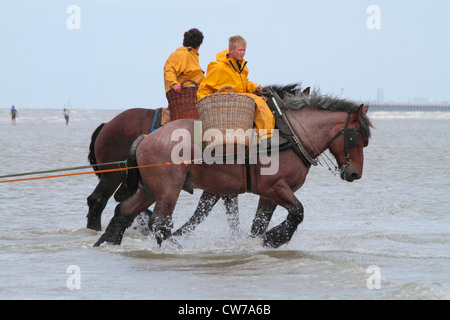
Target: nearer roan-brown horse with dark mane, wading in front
(320, 122)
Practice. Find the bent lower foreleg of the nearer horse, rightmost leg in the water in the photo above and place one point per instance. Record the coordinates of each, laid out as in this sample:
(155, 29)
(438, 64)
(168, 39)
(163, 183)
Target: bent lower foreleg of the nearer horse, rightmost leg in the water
(283, 233)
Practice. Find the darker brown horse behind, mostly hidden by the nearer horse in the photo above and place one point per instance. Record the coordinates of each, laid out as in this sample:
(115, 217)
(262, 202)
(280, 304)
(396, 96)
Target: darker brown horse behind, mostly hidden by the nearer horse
(111, 143)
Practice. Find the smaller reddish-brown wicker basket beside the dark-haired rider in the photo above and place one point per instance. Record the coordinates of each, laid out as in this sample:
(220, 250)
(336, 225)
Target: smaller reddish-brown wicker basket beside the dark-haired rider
(183, 105)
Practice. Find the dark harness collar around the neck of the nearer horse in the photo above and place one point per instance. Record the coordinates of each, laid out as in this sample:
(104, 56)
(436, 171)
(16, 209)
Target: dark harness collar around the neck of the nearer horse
(282, 123)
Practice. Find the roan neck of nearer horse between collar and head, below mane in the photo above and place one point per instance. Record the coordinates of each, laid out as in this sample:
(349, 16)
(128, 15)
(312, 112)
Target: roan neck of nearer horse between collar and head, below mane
(315, 127)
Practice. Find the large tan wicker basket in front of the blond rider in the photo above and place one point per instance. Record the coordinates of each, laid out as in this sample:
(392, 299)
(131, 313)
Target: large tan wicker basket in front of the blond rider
(224, 111)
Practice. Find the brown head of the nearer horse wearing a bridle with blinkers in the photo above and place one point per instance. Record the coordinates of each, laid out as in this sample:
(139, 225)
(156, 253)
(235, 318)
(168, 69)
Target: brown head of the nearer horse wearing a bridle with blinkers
(348, 144)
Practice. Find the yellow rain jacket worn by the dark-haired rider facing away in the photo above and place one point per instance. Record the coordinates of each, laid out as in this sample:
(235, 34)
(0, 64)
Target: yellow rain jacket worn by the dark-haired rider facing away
(181, 65)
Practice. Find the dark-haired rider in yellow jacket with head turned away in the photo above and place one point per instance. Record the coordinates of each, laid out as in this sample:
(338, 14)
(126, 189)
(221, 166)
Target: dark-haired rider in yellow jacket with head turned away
(184, 63)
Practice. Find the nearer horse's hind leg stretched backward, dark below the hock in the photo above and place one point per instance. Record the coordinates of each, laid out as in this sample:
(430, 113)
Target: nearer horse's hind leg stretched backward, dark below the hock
(124, 215)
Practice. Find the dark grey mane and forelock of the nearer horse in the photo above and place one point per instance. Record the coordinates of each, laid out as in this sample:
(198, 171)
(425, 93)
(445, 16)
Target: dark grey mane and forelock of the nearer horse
(295, 100)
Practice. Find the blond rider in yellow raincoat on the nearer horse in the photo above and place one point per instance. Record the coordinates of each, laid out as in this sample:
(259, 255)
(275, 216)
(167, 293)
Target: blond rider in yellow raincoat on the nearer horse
(230, 69)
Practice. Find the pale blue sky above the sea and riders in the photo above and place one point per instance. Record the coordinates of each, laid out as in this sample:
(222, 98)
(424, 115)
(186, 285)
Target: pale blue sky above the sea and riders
(109, 54)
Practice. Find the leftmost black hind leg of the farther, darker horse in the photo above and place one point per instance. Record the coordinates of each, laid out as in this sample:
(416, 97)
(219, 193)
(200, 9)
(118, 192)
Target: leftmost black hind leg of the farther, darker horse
(97, 201)
